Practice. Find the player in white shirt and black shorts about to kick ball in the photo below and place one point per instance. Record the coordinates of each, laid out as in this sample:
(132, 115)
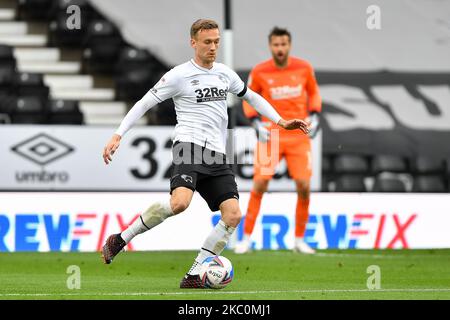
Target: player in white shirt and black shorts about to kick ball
(199, 90)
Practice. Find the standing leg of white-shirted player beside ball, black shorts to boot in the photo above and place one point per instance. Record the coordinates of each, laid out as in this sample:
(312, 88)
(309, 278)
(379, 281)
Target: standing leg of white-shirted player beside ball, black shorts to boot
(220, 192)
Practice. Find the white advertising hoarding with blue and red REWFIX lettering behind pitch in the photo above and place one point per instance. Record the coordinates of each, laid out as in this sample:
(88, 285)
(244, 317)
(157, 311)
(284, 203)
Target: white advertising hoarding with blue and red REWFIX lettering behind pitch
(82, 221)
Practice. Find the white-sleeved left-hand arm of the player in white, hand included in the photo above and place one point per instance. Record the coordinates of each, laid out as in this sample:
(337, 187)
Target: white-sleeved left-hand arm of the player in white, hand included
(166, 88)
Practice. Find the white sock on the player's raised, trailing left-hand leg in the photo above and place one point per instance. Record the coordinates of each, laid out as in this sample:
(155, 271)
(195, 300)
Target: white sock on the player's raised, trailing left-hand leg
(154, 215)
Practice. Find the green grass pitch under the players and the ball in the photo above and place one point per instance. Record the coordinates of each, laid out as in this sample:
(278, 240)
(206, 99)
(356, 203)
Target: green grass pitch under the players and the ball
(330, 274)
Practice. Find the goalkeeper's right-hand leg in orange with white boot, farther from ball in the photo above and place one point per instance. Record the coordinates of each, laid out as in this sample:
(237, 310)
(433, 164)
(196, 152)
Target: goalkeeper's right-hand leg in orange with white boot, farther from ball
(299, 163)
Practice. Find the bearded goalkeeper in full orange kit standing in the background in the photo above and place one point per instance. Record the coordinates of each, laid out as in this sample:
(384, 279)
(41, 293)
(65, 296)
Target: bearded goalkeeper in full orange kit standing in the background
(290, 86)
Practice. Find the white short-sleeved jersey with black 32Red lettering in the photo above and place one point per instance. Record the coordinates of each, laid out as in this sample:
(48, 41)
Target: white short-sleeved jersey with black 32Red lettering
(200, 98)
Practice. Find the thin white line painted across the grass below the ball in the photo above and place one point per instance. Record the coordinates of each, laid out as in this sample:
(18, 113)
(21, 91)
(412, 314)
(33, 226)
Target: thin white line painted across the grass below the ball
(213, 292)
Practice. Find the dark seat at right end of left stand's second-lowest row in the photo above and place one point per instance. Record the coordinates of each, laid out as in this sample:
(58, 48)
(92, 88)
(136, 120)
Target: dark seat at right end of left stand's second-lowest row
(30, 84)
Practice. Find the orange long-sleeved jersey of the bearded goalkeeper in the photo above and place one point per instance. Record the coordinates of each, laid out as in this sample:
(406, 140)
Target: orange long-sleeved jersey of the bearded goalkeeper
(292, 91)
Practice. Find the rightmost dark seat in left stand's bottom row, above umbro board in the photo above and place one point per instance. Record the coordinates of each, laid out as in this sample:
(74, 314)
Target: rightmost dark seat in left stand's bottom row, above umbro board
(64, 112)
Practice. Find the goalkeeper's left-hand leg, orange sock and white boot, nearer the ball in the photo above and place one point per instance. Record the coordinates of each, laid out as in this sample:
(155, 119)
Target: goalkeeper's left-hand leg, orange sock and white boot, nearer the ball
(265, 162)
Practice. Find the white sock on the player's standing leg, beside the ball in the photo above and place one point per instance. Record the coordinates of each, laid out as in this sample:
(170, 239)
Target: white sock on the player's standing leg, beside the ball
(213, 245)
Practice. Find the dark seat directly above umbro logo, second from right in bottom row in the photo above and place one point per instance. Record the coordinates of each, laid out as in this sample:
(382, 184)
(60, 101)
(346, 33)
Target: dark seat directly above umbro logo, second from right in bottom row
(29, 110)
